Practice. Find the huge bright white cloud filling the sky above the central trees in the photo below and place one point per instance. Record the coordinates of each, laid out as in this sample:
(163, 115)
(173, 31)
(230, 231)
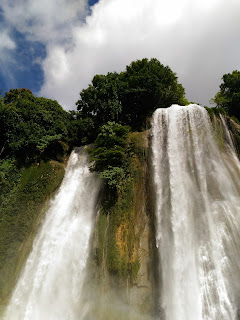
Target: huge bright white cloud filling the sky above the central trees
(198, 39)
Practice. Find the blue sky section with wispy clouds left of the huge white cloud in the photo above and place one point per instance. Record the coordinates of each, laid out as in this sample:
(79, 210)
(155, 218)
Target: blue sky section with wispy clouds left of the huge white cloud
(34, 26)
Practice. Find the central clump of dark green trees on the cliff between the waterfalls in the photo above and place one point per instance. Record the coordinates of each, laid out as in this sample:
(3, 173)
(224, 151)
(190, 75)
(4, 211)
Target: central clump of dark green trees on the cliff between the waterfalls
(131, 96)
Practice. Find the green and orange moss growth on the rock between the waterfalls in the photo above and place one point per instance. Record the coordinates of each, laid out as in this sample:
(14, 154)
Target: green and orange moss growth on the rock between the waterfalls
(118, 237)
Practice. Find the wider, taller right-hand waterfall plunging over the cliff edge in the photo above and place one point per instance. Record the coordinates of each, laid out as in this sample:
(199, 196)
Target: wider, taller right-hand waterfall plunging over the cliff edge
(198, 217)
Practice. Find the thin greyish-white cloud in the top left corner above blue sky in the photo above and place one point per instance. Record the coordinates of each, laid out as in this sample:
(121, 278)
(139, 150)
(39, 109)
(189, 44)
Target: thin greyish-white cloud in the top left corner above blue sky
(46, 20)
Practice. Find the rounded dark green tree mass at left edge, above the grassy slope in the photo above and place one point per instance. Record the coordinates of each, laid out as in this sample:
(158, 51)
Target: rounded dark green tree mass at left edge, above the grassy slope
(30, 125)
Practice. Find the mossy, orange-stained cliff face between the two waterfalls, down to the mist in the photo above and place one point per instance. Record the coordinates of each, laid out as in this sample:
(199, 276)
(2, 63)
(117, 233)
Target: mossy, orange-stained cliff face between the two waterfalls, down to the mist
(120, 276)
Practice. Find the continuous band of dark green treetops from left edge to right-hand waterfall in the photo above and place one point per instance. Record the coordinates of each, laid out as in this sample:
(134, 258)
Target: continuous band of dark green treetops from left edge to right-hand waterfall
(32, 127)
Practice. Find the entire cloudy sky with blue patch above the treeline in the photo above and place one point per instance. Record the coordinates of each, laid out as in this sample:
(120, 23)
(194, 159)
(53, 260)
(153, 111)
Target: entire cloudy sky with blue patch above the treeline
(55, 47)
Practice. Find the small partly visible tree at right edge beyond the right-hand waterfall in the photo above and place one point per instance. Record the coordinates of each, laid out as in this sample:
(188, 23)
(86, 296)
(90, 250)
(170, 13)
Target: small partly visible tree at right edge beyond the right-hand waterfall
(228, 97)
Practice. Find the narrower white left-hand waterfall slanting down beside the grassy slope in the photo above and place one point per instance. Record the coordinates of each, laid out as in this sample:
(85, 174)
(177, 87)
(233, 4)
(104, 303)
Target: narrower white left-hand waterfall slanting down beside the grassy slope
(50, 286)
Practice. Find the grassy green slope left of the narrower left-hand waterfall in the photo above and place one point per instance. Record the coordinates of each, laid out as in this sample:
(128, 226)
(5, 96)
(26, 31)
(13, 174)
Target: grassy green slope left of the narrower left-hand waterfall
(24, 199)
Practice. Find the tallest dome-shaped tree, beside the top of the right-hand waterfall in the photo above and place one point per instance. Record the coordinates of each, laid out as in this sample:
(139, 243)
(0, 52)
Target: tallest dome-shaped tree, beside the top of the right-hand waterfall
(148, 85)
